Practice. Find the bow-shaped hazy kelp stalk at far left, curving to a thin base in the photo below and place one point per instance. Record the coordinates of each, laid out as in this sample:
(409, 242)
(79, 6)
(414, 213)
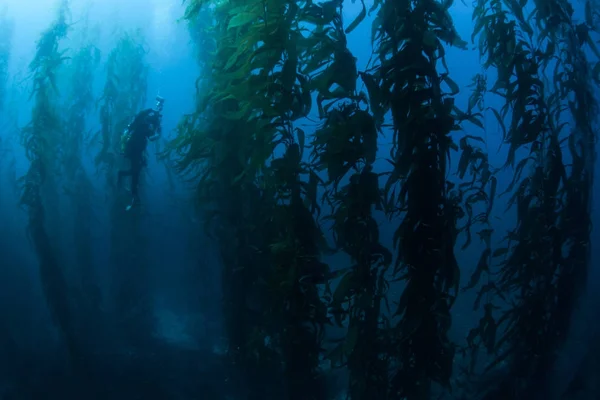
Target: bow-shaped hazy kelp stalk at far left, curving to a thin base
(38, 138)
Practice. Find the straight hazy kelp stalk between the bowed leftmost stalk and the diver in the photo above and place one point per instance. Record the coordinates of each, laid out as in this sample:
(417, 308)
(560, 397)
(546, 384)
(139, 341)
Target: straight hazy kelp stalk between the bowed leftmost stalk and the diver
(79, 105)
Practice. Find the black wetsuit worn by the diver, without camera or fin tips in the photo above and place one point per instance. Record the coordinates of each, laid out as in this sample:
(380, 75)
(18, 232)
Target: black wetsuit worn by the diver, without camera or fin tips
(146, 124)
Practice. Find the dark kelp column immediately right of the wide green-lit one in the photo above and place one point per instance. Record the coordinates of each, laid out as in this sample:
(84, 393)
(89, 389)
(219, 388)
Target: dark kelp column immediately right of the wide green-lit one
(346, 145)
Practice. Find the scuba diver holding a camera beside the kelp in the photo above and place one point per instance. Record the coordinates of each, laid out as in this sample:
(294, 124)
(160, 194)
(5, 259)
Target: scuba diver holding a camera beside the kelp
(145, 126)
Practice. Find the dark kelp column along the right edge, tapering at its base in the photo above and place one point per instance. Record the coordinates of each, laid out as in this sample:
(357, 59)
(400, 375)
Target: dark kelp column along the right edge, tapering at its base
(577, 85)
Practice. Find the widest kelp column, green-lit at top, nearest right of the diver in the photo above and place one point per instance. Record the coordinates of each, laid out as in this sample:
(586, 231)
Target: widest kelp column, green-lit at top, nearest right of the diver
(269, 239)
